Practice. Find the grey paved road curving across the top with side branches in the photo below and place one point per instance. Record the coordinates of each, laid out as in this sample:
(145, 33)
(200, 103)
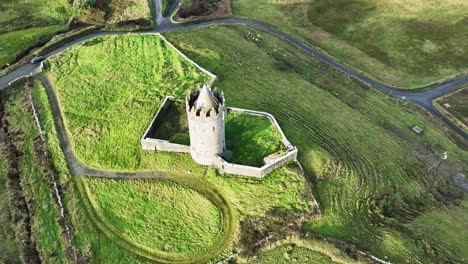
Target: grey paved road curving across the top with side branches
(424, 98)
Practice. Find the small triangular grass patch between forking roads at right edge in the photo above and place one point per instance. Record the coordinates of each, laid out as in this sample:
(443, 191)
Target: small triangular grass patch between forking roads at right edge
(458, 110)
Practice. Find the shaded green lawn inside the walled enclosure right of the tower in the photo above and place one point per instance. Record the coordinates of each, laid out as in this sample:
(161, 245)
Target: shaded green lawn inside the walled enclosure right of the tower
(251, 138)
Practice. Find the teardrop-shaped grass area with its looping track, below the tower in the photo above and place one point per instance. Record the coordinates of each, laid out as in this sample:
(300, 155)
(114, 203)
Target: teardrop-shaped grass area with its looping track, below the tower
(171, 221)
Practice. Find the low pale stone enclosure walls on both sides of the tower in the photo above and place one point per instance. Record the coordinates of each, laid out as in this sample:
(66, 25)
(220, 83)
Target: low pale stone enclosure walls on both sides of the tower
(272, 162)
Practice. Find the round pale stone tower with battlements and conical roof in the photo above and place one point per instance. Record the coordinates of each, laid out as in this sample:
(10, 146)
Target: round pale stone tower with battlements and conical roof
(206, 112)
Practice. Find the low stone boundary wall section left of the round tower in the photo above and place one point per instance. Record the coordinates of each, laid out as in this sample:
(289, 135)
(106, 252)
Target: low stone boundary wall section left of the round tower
(153, 144)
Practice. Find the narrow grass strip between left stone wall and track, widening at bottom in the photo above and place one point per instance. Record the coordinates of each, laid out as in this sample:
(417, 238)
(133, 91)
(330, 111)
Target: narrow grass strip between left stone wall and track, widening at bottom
(88, 240)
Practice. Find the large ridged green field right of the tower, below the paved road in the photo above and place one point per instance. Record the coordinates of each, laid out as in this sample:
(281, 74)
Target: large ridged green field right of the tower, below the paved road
(356, 141)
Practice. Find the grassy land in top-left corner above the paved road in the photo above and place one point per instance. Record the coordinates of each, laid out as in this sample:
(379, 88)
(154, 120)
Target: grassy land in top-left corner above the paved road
(26, 24)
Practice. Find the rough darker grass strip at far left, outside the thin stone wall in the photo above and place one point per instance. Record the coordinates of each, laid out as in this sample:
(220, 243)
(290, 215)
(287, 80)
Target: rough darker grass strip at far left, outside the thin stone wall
(35, 179)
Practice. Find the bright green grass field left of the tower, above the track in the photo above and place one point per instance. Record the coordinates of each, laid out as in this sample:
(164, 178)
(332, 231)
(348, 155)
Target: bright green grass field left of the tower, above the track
(118, 96)
